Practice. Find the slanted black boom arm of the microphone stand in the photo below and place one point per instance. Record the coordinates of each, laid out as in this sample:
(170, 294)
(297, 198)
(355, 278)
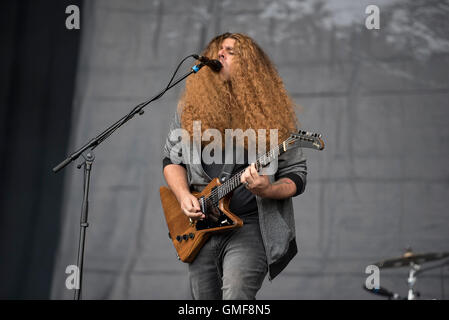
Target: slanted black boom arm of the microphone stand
(106, 133)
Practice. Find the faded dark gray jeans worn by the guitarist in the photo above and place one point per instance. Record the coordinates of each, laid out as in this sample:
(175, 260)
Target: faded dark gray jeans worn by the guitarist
(231, 265)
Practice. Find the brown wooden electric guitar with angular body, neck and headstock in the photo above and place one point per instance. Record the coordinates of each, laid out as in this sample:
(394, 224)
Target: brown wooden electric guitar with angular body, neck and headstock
(189, 236)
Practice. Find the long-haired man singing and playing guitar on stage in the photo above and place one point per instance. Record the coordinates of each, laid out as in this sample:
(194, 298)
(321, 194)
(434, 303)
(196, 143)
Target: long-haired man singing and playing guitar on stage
(247, 93)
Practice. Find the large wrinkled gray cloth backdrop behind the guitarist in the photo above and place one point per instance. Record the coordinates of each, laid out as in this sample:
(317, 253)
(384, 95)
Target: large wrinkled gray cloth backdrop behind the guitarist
(379, 97)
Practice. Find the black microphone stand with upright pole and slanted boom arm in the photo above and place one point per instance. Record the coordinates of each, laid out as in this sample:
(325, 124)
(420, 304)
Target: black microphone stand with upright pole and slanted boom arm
(89, 159)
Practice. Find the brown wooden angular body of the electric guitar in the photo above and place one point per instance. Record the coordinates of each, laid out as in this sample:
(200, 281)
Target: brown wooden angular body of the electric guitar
(188, 238)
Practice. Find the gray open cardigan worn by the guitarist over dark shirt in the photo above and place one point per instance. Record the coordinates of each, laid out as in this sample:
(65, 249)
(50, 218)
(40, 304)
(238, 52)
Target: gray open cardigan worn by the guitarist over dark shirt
(276, 217)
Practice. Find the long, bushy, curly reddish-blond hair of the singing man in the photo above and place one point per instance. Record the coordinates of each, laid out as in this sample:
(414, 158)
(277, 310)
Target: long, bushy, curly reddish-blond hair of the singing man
(254, 96)
